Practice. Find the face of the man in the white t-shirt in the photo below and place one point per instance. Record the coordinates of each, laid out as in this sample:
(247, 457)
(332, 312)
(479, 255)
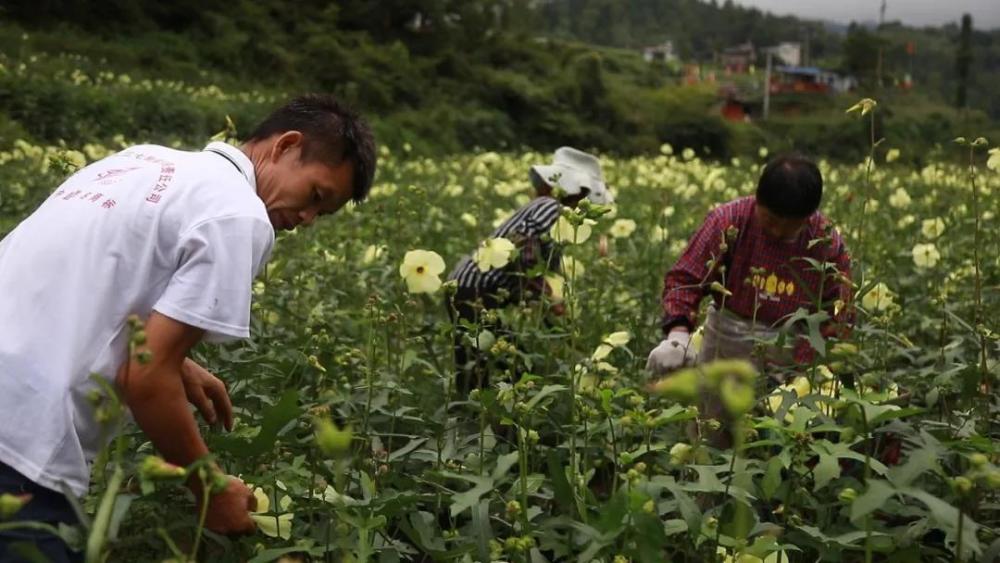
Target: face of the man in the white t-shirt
(296, 192)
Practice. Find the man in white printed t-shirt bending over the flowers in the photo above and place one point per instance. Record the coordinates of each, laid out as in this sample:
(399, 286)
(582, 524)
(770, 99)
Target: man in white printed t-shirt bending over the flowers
(175, 238)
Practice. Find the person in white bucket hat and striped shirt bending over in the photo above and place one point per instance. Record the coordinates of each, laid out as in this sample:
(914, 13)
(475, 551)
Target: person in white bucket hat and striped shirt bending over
(572, 176)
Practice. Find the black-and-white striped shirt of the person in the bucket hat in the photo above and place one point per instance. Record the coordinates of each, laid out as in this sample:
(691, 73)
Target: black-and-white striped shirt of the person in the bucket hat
(525, 228)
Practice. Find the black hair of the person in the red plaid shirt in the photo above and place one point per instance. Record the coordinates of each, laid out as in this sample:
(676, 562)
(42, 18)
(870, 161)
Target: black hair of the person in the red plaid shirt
(791, 186)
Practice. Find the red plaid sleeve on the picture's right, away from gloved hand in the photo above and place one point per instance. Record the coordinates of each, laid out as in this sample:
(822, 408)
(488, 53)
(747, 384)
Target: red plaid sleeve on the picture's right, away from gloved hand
(836, 299)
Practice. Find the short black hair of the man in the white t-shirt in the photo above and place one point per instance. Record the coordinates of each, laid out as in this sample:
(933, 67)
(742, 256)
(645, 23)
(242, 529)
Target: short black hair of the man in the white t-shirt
(332, 132)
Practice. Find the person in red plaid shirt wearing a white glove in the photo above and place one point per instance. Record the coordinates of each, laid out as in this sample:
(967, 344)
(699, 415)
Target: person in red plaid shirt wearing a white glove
(750, 256)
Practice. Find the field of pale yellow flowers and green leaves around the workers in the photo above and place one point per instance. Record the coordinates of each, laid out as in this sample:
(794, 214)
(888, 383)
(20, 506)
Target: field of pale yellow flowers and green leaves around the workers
(885, 448)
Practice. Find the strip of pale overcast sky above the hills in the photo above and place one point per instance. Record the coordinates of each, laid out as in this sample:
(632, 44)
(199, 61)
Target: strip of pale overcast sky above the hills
(985, 13)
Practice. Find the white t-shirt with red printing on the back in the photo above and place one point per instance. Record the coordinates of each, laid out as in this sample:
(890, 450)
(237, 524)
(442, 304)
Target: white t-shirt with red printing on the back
(149, 228)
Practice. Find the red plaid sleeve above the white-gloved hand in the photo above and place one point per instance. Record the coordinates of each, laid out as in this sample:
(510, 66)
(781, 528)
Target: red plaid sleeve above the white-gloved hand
(685, 285)
